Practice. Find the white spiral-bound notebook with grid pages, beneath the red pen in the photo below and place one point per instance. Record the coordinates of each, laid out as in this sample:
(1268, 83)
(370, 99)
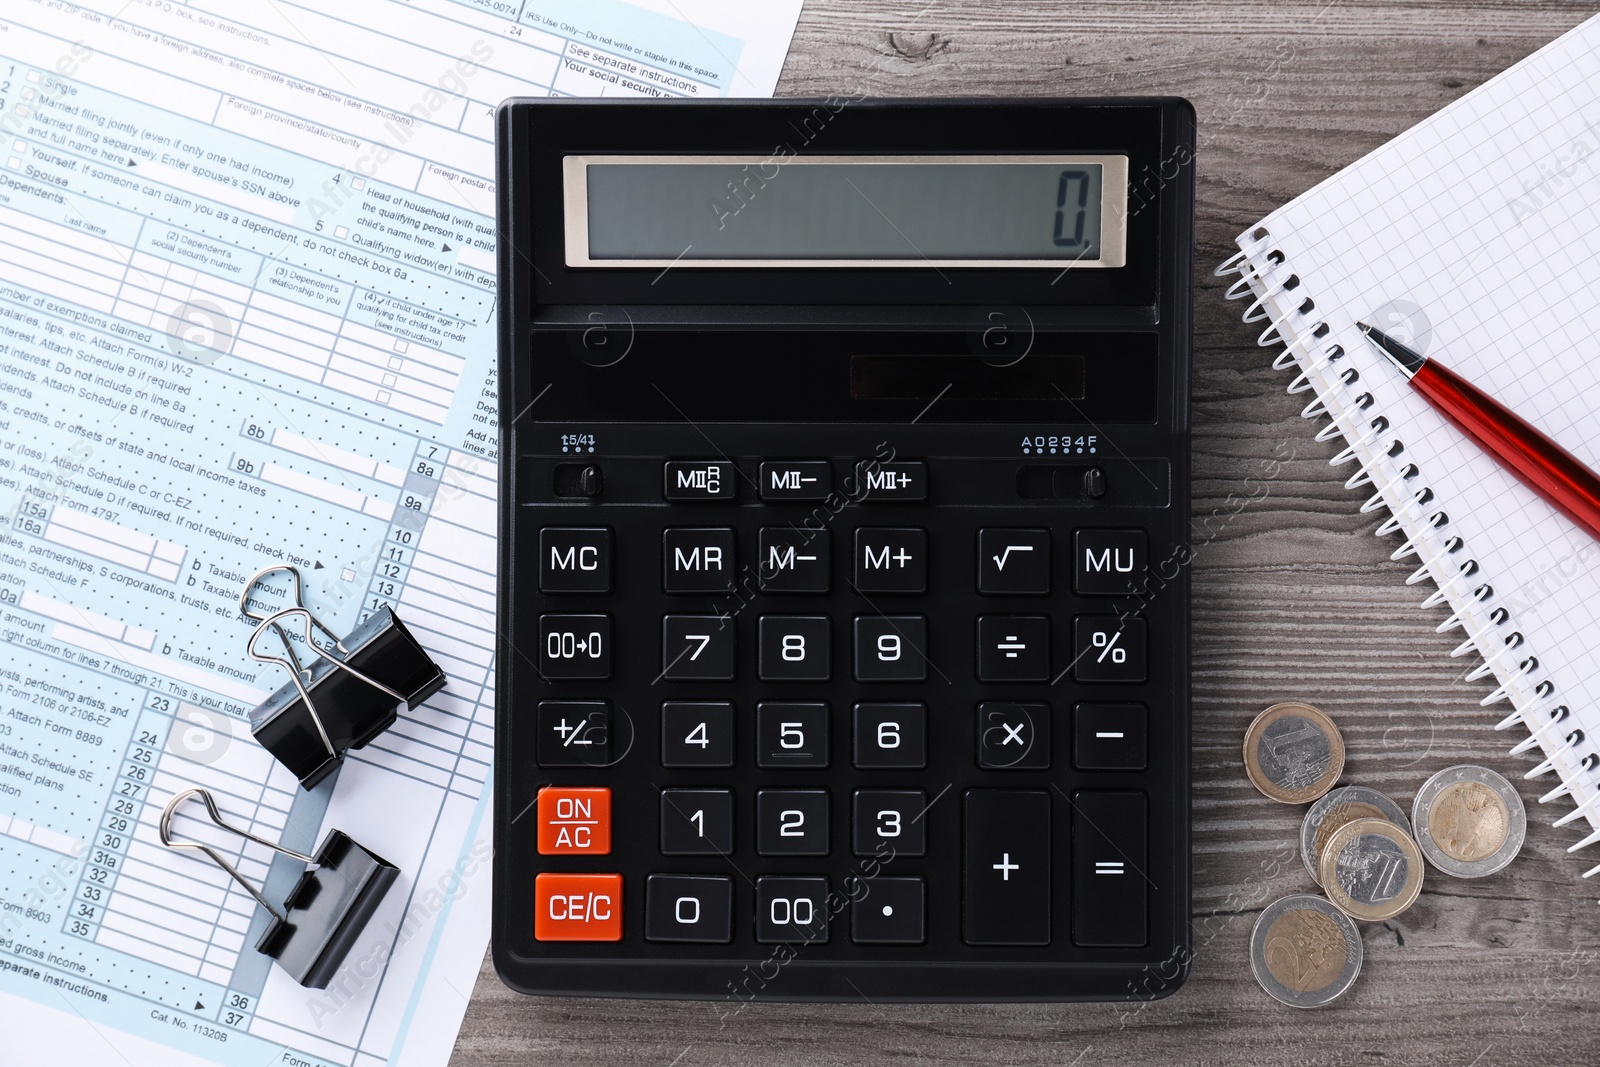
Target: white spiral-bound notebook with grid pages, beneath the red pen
(1474, 238)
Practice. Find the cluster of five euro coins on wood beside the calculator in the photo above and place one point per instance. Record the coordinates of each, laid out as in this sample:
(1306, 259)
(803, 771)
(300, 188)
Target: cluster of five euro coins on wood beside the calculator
(1361, 849)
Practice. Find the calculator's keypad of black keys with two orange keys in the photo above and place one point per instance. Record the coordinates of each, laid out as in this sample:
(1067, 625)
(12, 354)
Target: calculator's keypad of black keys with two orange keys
(884, 813)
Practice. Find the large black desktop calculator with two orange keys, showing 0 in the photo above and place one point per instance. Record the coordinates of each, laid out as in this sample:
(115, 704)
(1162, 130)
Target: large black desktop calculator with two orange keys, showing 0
(844, 599)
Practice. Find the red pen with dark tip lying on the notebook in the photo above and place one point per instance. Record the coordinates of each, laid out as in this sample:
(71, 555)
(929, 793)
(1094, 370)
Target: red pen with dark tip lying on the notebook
(1540, 463)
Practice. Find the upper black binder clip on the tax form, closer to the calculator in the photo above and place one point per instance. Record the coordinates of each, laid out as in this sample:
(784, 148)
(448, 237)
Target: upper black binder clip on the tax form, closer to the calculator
(350, 695)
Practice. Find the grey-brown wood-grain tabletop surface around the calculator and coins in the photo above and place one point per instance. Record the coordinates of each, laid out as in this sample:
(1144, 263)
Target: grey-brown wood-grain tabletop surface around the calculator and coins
(1294, 596)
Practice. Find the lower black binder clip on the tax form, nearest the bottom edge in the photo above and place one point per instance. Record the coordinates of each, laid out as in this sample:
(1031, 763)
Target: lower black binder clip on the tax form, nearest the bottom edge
(326, 911)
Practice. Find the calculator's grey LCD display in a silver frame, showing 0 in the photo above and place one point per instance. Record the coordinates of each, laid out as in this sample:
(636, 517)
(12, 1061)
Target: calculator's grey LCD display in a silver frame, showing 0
(822, 212)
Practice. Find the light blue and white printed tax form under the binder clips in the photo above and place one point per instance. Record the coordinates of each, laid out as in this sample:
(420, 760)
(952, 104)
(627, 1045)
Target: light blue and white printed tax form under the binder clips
(247, 318)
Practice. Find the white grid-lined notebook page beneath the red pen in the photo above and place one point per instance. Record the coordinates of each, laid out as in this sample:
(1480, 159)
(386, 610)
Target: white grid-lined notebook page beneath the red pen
(1478, 233)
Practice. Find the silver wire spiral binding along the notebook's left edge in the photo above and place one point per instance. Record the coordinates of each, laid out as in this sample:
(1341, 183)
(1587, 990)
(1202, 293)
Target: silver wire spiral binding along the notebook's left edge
(1401, 487)
